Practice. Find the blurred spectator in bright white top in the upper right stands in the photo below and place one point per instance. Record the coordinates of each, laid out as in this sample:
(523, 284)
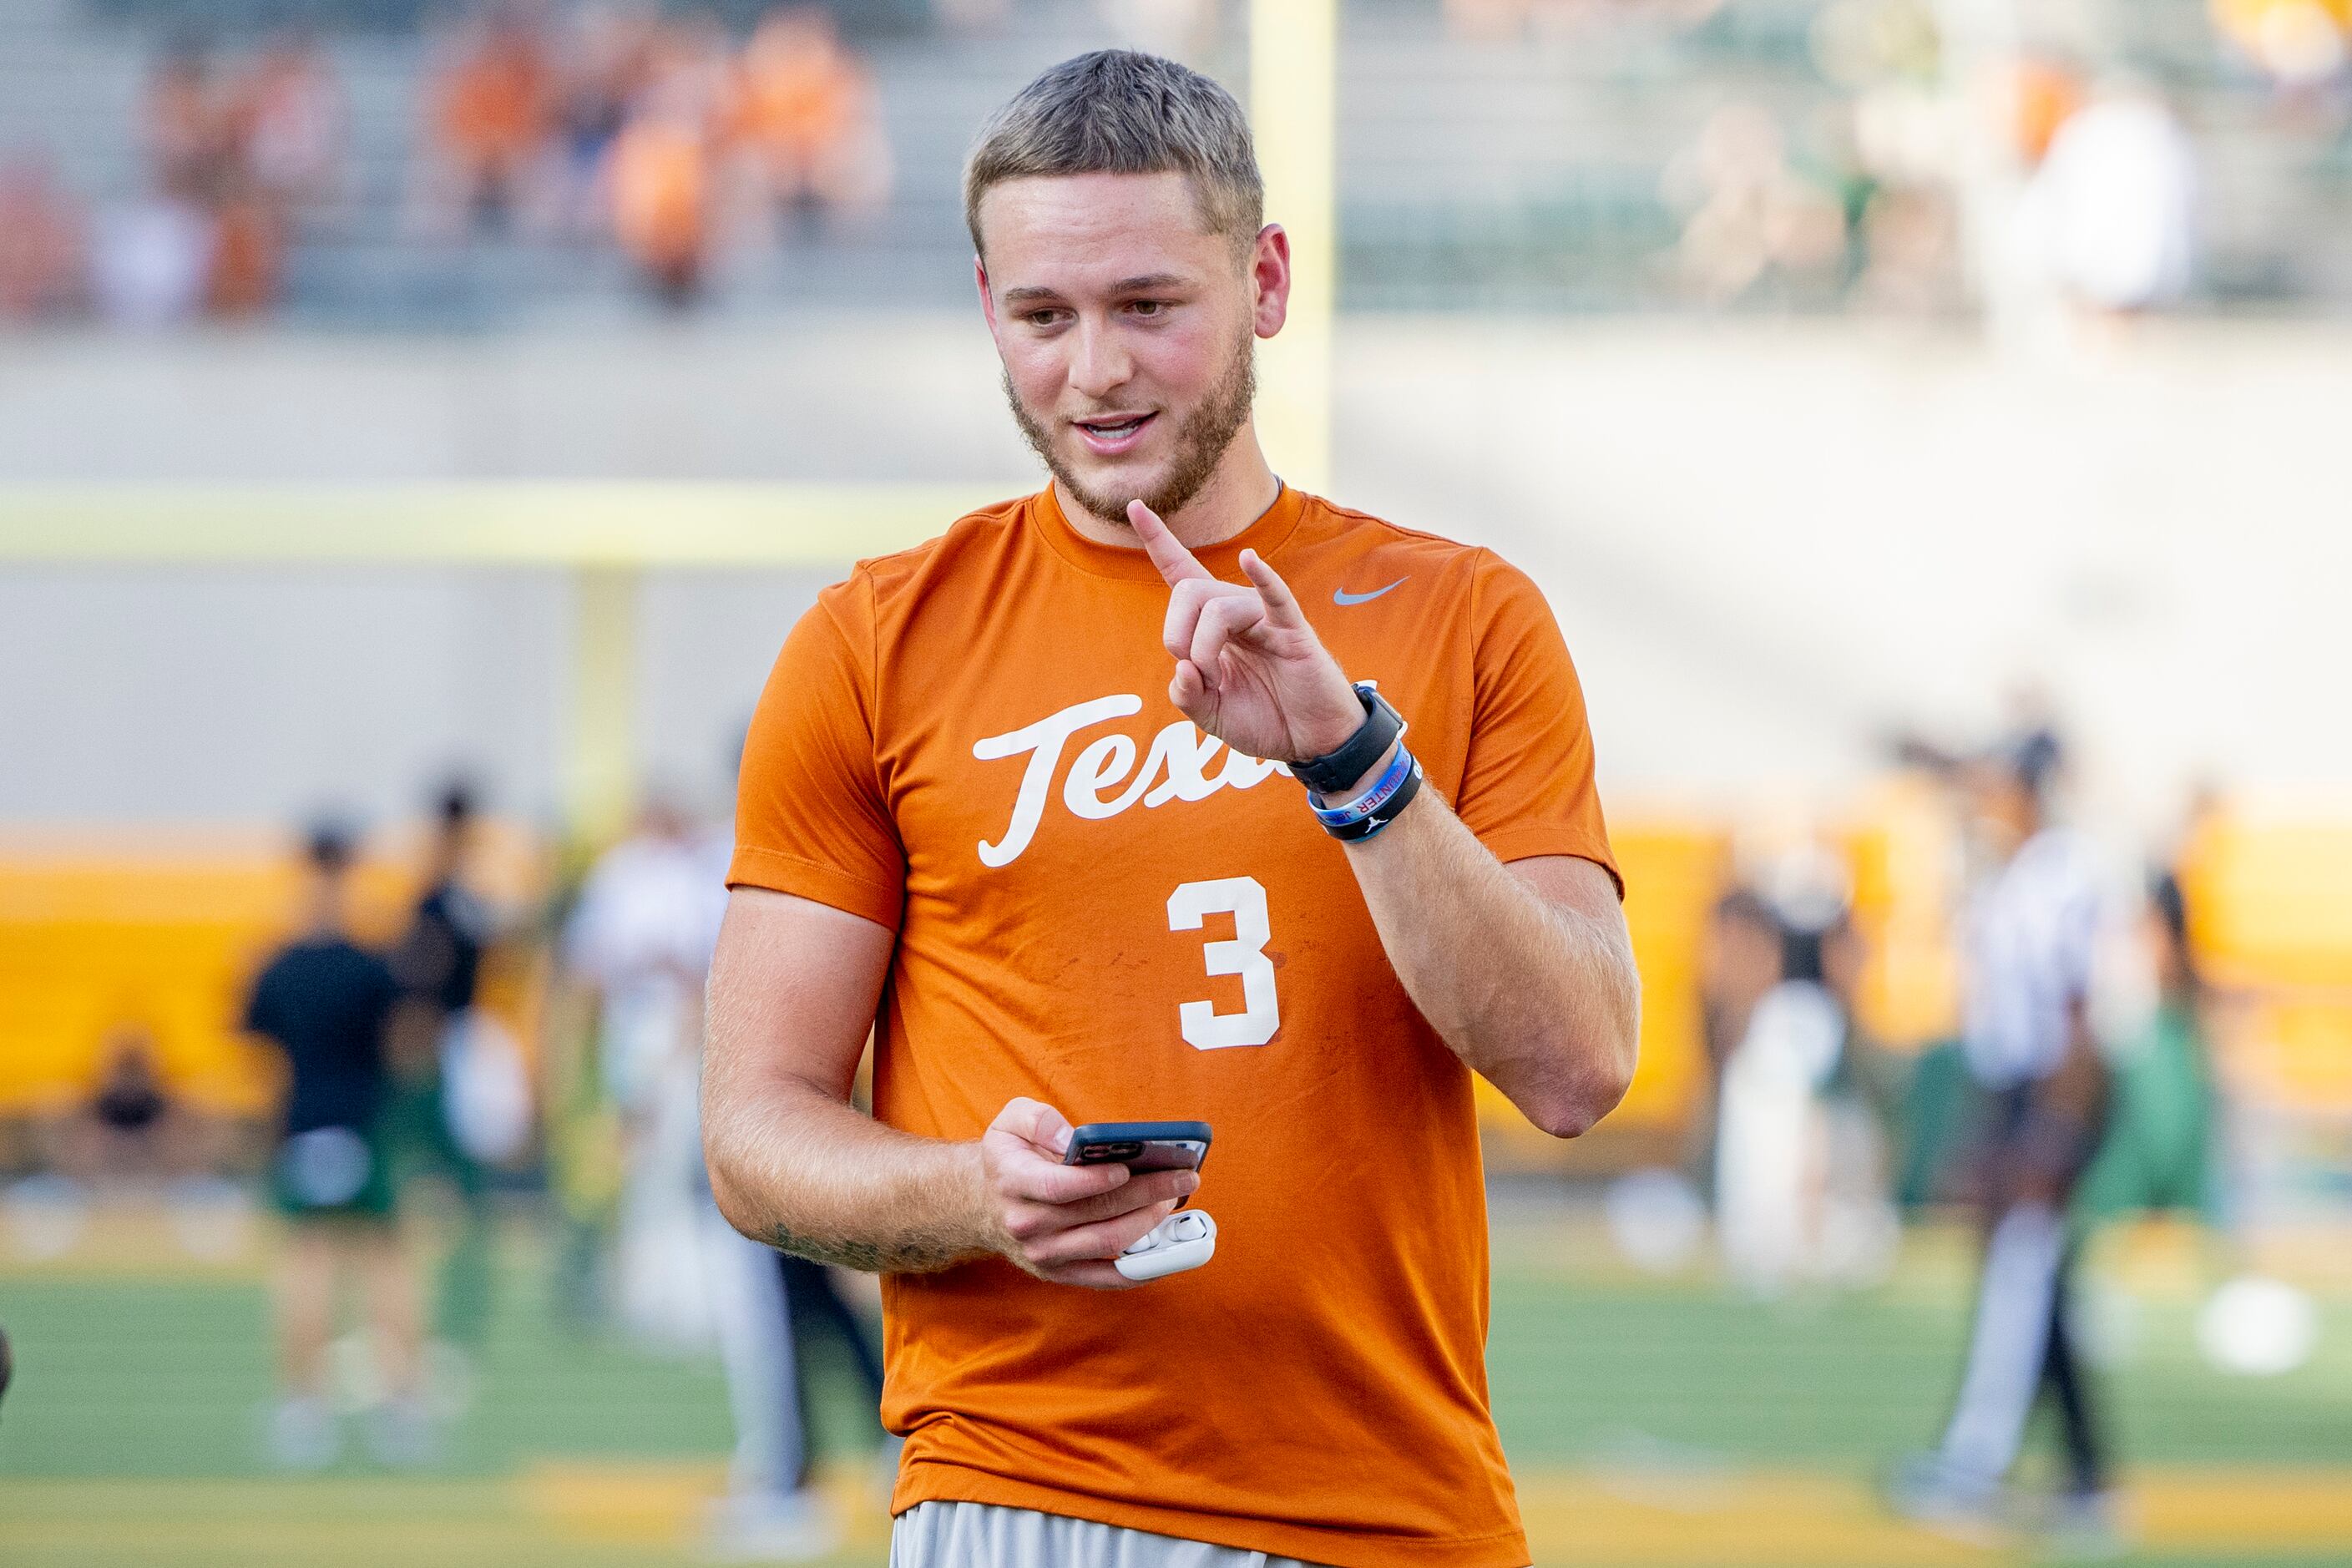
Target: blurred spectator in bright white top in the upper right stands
(2111, 210)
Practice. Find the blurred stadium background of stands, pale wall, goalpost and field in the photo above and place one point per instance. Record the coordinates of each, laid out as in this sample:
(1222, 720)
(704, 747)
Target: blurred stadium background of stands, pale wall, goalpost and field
(399, 391)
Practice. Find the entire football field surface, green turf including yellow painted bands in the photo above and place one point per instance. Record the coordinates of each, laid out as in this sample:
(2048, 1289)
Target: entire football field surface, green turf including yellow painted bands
(1648, 1423)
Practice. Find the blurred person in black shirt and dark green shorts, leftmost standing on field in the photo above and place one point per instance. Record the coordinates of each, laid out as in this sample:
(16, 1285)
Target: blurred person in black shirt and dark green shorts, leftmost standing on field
(326, 1003)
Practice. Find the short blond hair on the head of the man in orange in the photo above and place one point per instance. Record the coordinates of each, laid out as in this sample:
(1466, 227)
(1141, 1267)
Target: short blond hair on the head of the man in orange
(1118, 112)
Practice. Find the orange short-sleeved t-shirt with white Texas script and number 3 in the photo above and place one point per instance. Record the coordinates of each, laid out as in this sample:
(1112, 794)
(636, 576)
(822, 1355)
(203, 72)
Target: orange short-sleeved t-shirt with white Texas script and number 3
(1111, 913)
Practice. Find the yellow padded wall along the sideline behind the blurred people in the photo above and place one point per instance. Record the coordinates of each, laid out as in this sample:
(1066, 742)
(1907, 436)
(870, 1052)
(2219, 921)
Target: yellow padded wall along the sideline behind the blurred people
(163, 934)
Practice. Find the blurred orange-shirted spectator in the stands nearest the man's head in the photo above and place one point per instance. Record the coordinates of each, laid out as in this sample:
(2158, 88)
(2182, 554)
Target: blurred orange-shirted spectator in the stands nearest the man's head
(806, 114)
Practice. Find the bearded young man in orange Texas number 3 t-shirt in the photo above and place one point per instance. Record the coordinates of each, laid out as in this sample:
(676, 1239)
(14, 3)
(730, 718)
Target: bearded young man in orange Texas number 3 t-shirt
(1022, 789)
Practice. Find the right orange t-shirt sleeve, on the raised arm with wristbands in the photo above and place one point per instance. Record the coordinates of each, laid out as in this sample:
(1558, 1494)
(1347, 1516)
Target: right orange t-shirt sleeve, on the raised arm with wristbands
(1528, 784)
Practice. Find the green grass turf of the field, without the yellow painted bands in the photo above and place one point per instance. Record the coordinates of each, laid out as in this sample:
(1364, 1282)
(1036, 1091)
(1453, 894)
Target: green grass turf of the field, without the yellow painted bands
(133, 1433)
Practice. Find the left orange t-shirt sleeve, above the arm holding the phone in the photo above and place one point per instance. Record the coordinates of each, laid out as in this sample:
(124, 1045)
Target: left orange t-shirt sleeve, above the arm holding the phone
(810, 808)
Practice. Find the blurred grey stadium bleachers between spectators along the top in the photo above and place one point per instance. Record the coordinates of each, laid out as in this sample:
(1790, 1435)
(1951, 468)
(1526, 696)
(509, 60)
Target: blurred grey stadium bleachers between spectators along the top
(1441, 208)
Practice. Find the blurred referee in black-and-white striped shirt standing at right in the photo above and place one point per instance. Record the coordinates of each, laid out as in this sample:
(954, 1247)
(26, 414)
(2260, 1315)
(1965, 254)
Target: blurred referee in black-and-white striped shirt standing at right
(2031, 939)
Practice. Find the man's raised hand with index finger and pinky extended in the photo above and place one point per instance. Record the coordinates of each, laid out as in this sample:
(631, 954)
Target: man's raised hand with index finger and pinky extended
(1250, 669)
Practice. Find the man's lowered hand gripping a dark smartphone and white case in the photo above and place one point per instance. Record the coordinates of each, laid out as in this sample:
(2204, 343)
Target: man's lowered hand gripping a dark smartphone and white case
(1067, 1224)
